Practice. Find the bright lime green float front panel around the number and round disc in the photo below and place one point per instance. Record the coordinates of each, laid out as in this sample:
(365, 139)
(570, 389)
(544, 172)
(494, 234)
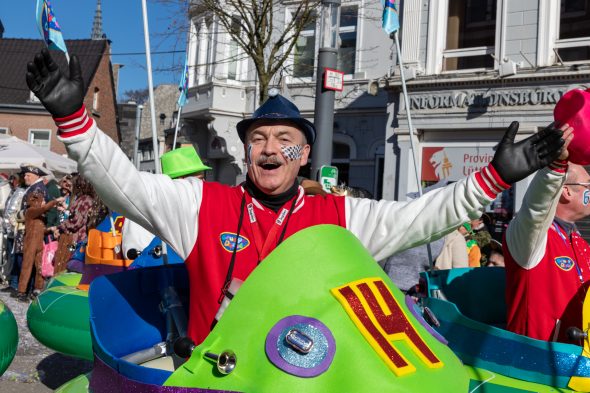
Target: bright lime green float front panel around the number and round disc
(297, 279)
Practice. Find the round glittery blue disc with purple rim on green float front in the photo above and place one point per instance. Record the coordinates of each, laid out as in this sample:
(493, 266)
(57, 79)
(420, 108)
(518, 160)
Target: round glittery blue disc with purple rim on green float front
(308, 364)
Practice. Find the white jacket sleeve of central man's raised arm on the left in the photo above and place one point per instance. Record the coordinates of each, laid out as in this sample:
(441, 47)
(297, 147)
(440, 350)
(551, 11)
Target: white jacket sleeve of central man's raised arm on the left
(165, 207)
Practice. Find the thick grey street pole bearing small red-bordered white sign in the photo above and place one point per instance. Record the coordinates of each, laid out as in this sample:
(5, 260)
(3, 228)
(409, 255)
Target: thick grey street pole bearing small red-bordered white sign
(328, 81)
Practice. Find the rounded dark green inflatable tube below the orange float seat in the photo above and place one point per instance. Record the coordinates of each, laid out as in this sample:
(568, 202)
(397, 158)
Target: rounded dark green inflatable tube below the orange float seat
(59, 319)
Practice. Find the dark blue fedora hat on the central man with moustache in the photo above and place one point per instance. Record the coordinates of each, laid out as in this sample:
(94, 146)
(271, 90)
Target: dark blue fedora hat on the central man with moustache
(278, 108)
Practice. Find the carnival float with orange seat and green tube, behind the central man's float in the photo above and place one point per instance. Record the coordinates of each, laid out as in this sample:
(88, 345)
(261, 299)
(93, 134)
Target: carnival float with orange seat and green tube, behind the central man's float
(59, 316)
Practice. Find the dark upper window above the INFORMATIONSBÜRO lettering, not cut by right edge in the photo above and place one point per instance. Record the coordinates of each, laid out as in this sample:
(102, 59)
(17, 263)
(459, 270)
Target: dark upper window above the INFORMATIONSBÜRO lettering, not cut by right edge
(471, 34)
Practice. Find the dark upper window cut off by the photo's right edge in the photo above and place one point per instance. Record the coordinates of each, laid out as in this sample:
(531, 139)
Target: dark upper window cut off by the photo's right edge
(573, 43)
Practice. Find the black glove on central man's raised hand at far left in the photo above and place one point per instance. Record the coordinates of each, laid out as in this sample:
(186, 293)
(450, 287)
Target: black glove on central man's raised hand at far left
(60, 95)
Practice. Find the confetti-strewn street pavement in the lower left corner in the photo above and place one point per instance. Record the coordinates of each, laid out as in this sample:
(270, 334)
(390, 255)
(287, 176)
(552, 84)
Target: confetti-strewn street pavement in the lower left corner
(35, 367)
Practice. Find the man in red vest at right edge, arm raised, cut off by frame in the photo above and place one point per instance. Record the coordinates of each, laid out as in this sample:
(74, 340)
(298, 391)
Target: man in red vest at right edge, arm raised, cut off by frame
(547, 261)
